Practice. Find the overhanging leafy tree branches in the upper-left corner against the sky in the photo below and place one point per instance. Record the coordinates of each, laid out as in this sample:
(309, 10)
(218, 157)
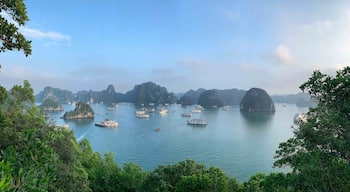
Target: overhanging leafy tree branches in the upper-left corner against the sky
(10, 37)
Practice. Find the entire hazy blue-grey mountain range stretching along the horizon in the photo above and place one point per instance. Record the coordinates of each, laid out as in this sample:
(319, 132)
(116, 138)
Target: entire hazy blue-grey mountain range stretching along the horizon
(150, 92)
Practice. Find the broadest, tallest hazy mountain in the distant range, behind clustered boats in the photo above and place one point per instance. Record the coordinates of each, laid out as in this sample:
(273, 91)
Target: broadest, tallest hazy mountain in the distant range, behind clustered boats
(147, 93)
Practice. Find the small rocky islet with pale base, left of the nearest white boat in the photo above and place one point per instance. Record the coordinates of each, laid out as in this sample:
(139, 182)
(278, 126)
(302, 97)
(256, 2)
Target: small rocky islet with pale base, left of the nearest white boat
(81, 111)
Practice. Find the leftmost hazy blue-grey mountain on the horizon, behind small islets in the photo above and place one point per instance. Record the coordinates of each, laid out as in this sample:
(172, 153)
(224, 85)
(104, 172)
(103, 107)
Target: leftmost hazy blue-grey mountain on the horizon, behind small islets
(62, 96)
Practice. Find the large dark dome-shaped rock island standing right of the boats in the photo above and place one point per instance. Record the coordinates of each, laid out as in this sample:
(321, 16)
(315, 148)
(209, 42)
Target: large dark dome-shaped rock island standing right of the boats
(257, 100)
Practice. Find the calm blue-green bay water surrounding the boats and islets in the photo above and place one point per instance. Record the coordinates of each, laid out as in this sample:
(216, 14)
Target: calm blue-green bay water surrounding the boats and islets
(241, 145)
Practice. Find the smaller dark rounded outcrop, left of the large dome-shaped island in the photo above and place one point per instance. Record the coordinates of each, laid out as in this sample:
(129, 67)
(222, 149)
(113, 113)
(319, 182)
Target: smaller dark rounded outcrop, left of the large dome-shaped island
(210, 99)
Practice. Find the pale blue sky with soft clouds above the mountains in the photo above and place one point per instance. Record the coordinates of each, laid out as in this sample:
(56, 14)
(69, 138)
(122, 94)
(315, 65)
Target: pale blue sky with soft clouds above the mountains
(179, 44)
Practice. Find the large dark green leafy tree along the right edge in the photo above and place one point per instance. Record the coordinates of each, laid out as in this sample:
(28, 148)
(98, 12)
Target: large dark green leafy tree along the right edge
(319, 152)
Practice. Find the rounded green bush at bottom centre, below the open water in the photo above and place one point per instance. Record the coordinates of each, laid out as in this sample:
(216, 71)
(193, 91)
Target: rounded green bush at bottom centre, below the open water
(188, 176)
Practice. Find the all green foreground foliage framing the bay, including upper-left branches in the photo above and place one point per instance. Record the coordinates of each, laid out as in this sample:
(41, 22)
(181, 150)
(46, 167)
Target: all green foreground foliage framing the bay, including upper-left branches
(39, 156)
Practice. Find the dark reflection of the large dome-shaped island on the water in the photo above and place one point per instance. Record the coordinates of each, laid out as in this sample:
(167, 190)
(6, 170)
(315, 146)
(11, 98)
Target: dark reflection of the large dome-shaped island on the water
(257, 120)
